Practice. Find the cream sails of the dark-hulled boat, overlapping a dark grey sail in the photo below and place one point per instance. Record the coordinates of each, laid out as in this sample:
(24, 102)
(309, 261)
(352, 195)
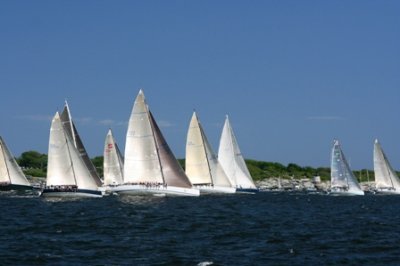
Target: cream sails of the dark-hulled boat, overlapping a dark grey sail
(65, 165)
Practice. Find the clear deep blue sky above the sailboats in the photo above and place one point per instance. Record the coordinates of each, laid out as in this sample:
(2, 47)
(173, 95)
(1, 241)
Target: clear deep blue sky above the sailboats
(292, 75)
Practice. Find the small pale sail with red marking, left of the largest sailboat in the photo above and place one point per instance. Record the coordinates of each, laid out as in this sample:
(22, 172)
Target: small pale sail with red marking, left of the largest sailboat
(113, 161)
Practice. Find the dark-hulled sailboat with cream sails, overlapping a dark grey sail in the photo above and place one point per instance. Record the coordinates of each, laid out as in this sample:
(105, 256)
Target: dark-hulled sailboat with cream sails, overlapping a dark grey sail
(67, 173)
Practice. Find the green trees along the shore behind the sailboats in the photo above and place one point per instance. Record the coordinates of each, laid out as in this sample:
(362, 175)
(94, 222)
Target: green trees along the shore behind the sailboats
(34, 163)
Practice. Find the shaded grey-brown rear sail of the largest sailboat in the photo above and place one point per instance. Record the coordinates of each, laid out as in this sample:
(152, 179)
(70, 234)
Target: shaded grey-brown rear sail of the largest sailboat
(171, 169)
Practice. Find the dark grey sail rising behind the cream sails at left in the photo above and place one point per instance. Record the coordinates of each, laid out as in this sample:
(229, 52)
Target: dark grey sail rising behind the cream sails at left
(71, 130)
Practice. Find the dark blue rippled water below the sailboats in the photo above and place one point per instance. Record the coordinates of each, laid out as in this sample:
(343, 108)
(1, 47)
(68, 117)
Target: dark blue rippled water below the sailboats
(262, 229)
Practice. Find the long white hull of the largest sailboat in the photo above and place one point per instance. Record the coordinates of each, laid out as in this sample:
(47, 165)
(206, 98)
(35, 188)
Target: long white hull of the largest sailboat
(146, 190)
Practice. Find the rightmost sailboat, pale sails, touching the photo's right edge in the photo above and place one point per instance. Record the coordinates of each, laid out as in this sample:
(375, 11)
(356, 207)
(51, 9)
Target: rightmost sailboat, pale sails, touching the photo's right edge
(386, 179)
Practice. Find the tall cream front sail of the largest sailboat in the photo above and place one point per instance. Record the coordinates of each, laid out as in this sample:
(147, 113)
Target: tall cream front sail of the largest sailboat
(142, 162)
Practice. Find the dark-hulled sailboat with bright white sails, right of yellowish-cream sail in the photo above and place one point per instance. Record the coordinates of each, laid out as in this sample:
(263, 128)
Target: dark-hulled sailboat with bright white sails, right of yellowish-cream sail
(232, 161)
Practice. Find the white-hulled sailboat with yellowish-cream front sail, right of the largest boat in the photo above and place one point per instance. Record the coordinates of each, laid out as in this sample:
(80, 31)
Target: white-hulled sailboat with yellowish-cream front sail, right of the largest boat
(201, 164)
